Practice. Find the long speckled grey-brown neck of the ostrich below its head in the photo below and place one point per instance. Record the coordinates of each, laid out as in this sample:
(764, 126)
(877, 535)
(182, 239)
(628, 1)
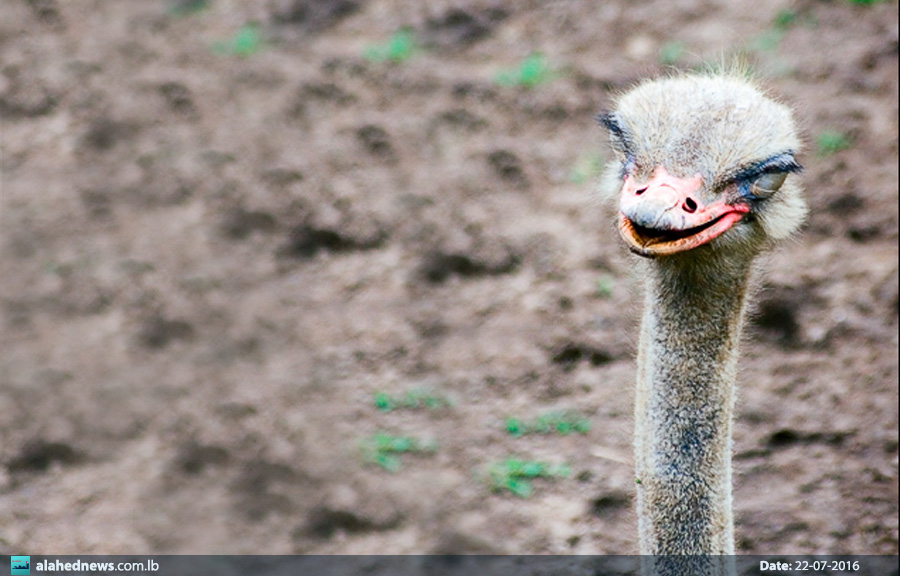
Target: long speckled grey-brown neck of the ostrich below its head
(687, 363)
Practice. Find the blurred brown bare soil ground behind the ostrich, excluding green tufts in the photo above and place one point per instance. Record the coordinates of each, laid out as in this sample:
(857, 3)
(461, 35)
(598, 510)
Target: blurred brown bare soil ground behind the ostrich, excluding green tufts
(212, 262)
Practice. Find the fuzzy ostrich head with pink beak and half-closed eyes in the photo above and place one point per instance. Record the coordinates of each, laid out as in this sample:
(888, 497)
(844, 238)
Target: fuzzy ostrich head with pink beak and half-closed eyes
(704, 167)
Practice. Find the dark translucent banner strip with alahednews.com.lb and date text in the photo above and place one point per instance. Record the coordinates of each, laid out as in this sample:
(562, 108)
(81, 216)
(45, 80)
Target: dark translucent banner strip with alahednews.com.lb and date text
(167, 565)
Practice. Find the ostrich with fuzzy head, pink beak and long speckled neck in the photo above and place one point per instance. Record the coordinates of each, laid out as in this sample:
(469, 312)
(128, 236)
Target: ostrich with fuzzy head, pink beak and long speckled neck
(703, 180)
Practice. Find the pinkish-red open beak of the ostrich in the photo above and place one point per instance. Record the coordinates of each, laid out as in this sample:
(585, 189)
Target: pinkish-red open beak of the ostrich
(666, 214)
